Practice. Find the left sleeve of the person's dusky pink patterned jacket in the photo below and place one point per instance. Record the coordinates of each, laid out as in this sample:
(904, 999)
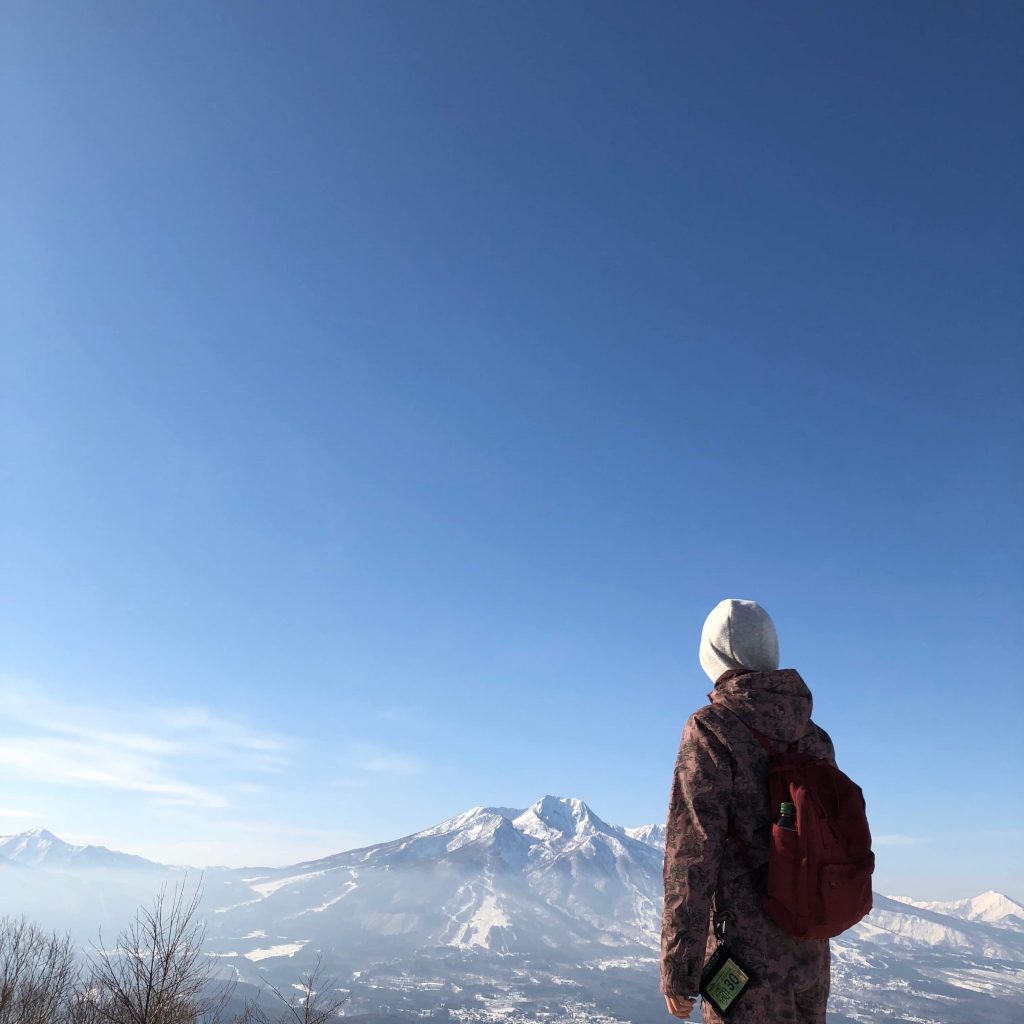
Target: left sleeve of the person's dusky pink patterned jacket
(695, 838)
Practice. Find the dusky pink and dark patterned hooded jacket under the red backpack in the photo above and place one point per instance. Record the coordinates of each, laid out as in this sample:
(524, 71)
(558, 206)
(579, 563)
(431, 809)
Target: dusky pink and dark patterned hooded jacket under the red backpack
(720, 777)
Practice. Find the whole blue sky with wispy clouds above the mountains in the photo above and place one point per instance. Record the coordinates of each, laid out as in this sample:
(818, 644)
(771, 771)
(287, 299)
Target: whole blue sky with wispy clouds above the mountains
(391, 391)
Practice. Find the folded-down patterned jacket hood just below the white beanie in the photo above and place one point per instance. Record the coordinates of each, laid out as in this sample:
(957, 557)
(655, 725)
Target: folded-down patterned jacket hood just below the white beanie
(778, 704)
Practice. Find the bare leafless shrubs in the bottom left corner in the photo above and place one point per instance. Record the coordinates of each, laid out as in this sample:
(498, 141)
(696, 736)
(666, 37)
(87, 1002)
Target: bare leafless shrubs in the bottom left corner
(154, 973)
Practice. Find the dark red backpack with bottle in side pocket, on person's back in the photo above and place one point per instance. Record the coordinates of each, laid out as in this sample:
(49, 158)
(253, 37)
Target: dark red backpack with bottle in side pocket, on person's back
(820, 875)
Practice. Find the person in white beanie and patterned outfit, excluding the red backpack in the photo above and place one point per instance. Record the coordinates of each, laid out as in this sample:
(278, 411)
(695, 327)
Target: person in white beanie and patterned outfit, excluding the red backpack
(719, 790)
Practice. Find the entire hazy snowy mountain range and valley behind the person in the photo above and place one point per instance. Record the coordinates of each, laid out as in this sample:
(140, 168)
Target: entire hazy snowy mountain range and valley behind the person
(499, 914)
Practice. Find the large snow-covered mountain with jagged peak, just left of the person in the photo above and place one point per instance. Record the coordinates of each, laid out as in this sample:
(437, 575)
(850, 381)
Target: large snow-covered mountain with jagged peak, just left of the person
(551, 876)
